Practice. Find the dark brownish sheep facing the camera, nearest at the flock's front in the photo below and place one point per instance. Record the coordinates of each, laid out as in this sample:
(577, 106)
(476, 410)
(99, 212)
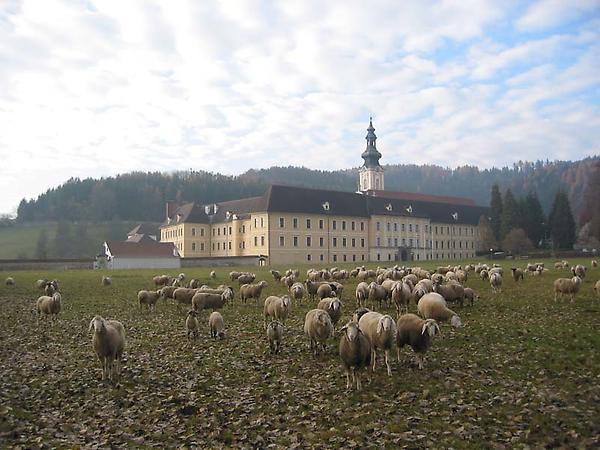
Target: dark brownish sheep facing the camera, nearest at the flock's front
(355, 352)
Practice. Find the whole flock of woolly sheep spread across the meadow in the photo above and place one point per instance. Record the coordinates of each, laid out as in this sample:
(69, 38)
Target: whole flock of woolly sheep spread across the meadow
(368, 332)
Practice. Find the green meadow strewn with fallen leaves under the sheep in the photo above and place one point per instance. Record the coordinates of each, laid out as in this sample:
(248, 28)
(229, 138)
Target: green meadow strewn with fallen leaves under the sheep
(523, 372)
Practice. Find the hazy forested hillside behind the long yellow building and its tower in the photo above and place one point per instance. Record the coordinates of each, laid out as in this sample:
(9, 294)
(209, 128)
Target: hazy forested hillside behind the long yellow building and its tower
(141, 196)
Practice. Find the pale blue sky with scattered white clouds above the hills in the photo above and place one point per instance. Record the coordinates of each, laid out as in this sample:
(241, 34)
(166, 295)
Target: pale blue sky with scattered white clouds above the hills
(97, 88)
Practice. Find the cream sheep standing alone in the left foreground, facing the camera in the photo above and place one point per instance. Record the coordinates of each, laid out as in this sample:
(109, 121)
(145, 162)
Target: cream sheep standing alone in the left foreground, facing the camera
(109, 343)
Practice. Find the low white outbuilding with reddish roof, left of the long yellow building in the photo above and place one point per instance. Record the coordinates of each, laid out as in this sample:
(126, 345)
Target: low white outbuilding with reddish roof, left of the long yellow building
(141, 253)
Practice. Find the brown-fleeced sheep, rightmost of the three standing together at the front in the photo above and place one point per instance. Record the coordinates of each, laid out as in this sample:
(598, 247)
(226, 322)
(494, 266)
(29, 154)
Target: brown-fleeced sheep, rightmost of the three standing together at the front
(416, 332)
